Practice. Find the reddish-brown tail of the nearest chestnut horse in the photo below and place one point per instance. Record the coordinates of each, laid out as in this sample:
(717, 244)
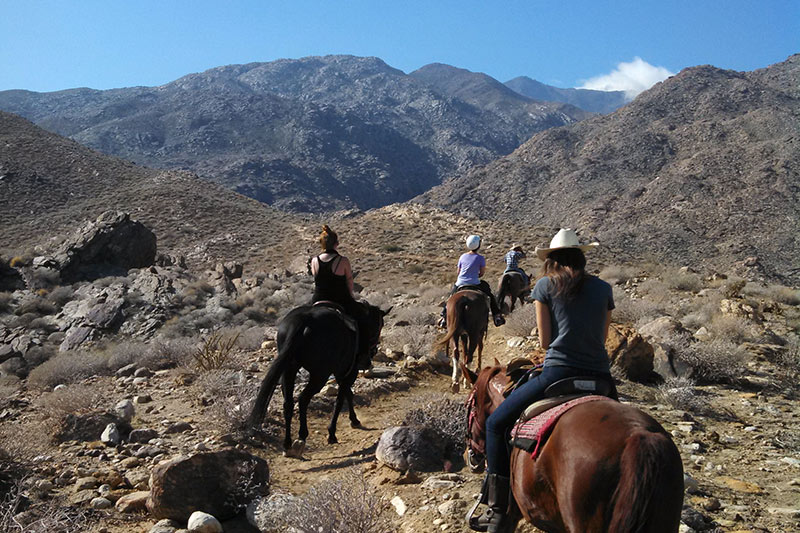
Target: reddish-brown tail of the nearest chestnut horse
(649, 496)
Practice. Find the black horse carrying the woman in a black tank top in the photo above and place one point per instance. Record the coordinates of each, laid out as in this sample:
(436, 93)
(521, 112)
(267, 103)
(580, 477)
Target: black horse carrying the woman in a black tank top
(322, 340)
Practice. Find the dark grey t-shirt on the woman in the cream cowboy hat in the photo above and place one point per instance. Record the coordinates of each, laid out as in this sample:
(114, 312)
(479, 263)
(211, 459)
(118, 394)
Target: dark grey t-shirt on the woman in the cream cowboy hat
(578, 324)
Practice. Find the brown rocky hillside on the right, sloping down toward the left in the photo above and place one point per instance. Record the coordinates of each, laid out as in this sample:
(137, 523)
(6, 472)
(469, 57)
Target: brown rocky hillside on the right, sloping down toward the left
(703, 167)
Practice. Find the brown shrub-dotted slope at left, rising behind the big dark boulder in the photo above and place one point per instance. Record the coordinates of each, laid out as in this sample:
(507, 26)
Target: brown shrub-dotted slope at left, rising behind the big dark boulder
(50, 185)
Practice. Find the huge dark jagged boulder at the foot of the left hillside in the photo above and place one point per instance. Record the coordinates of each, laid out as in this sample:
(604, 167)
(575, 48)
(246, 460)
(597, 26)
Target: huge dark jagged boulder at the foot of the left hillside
(111, 245)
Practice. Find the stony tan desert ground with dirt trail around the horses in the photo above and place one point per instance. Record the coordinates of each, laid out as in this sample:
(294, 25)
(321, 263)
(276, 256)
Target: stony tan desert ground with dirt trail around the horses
(726, 347)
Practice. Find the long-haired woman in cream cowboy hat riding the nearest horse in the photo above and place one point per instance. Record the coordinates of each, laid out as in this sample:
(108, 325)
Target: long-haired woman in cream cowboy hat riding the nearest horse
(573, 313)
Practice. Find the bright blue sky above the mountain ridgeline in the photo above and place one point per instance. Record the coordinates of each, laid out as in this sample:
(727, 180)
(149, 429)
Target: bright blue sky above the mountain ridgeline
(48, 45)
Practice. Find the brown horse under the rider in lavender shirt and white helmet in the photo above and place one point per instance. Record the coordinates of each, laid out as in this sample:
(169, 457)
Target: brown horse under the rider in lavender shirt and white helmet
(467, 322)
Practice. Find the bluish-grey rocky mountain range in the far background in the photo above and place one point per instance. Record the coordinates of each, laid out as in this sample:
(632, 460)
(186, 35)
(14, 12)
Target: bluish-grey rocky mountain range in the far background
(312, 134)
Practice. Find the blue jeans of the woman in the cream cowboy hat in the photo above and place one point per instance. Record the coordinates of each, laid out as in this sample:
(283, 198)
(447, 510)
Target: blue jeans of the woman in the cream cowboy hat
(500, 422)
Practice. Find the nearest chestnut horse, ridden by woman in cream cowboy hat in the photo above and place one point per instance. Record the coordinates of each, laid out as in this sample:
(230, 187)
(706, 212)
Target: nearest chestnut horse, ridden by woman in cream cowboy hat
(606, 466)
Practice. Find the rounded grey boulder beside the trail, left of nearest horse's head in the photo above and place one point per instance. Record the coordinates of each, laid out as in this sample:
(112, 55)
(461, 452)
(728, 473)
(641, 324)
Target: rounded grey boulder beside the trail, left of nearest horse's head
(406, 448)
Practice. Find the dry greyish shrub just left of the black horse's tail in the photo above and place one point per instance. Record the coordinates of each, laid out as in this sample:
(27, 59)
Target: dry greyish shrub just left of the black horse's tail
(229, 396)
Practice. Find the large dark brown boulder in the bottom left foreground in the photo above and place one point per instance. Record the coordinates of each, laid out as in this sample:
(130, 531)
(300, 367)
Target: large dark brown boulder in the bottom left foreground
(220, 483)
